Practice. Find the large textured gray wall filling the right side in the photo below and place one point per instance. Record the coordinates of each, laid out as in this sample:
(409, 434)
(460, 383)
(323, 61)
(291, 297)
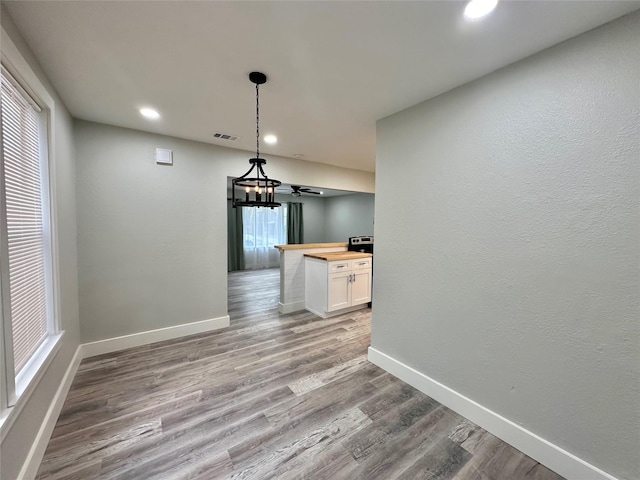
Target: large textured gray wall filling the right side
(522, 291)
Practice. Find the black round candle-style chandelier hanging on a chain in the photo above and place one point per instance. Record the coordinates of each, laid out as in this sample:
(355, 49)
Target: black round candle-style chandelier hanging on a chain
(255, 189)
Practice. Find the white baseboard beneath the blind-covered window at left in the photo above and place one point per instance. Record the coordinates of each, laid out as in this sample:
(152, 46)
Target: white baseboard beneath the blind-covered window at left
(39, 446)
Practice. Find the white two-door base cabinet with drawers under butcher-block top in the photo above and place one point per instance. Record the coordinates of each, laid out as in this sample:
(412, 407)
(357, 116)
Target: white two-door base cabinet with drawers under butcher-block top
(335, 287)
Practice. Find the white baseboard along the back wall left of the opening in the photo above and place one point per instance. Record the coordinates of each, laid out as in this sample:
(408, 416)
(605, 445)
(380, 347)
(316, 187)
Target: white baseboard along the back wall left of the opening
(109, 345)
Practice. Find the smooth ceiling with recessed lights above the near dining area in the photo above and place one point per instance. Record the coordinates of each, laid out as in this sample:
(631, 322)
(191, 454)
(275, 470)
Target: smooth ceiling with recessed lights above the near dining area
(334, 67)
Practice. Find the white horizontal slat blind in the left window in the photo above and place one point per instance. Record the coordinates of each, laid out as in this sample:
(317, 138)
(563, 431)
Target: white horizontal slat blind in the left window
(25, 226)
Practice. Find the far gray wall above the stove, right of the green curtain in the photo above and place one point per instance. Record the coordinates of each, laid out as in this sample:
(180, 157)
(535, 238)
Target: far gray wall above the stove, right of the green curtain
(348, 216)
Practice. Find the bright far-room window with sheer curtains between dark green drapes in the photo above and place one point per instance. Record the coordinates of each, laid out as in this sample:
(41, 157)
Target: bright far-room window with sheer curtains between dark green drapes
(263, 228)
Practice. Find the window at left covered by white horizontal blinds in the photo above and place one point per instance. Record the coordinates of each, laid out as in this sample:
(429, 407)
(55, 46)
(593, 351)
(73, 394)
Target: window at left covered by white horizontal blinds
(28, 325)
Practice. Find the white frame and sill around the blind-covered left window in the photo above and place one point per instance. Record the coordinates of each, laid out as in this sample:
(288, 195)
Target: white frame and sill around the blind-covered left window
(15, 390)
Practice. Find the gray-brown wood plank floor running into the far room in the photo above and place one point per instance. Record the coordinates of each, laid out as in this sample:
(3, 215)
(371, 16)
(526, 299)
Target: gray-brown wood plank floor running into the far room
(271, 397)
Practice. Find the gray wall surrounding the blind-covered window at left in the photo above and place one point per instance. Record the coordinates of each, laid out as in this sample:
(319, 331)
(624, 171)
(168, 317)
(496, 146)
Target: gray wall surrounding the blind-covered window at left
(21, 436)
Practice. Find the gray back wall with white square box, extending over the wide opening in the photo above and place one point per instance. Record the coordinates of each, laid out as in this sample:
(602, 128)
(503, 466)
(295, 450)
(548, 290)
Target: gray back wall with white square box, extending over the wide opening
(152, 239)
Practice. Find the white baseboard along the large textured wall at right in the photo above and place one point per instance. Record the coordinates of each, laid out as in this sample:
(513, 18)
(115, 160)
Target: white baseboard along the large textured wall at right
(545, 452)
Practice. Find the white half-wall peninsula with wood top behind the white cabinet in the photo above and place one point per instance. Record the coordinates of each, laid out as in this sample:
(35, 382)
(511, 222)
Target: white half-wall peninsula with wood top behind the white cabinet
(292, 272)
